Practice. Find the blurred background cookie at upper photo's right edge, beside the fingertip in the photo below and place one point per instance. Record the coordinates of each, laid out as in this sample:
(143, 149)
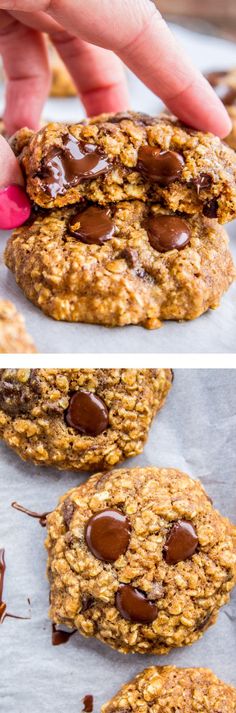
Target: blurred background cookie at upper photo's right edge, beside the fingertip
(224, 83)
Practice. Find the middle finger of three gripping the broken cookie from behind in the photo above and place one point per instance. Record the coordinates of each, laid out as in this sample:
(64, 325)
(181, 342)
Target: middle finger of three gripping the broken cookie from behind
(98, 74)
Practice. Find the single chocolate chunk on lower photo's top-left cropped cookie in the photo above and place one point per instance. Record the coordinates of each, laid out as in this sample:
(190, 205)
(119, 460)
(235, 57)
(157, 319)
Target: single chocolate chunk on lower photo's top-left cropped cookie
(87, 413)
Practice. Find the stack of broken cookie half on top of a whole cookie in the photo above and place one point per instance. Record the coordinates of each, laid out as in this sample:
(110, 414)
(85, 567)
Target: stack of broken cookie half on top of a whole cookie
(126, 221)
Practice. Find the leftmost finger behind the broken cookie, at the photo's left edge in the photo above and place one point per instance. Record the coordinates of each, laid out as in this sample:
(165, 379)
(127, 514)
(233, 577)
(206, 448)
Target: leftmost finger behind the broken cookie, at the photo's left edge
(28, 78)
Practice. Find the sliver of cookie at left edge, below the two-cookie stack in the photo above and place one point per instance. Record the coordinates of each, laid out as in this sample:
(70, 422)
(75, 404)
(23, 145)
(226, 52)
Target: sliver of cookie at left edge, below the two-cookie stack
(13, 336)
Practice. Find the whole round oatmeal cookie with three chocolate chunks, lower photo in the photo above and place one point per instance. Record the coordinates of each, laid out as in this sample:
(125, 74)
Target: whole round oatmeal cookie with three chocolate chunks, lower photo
(140, 559)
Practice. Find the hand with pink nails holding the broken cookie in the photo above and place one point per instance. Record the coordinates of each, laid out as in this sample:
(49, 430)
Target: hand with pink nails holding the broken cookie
(92, 37)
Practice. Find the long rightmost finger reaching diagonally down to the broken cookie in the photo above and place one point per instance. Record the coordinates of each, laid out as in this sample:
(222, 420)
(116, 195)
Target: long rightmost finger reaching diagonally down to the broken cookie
(135, 30)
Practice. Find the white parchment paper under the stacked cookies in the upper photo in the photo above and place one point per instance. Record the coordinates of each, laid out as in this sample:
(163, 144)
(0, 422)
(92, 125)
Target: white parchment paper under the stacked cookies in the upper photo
(213, 332)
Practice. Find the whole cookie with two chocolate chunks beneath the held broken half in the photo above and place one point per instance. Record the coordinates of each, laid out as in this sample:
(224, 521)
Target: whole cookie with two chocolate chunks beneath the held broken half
(127, 263)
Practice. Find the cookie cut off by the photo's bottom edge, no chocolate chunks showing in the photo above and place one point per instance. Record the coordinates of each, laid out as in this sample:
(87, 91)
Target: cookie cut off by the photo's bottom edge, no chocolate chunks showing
(172, 689)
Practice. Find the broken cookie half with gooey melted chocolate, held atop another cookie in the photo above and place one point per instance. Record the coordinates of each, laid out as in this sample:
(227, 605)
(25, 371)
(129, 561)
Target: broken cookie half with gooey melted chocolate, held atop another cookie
(131, 156)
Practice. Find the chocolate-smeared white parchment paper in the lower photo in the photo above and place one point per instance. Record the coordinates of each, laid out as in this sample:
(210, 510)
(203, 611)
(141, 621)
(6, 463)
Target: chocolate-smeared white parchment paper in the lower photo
(195, 432)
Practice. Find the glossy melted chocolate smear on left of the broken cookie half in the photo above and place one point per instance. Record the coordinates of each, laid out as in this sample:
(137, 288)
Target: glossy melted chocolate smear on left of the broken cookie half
(64, 167)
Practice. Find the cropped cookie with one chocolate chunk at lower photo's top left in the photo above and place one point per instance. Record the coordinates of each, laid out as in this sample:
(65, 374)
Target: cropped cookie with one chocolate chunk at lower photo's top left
(79, 419)
